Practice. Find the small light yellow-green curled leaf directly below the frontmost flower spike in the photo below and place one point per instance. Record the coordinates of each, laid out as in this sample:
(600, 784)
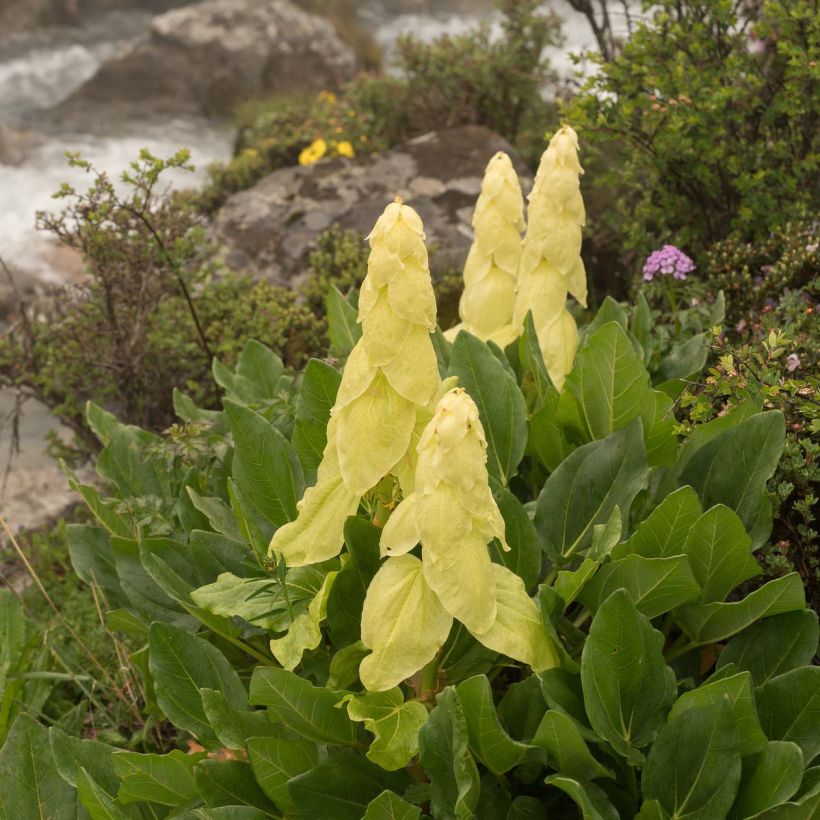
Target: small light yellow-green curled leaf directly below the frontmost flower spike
(394, 723)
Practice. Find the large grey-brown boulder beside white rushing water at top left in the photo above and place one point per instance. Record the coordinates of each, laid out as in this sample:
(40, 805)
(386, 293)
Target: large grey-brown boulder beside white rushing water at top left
(205, 58)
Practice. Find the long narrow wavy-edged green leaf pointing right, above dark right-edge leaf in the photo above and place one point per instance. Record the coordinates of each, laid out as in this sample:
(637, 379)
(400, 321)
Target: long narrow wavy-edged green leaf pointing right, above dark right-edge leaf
(709, 623)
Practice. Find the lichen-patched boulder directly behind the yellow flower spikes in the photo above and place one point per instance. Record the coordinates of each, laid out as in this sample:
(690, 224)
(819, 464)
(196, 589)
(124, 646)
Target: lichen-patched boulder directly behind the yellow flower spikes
(269, 229)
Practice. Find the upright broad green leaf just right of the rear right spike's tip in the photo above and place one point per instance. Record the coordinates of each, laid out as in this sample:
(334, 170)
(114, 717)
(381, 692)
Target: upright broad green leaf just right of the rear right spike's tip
(610, 383)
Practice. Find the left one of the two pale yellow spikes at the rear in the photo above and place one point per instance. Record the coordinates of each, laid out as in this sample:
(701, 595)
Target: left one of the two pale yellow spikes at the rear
(486, 305)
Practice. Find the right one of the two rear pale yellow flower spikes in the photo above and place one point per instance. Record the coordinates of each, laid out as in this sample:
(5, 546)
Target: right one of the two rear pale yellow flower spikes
(551, 262)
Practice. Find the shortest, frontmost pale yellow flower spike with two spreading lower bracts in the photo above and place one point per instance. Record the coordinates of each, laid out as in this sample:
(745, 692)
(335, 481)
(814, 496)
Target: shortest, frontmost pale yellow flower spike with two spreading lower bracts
(410, 604)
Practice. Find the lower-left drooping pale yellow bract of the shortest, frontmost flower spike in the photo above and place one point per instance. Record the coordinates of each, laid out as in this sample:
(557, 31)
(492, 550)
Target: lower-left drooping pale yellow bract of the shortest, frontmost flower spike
(403, 621)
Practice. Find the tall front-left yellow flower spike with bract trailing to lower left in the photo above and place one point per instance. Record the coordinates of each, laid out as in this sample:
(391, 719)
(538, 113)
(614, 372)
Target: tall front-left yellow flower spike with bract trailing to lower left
(389, 388)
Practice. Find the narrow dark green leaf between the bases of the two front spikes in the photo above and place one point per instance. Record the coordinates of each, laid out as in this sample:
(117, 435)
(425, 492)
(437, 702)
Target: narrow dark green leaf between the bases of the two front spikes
(344, 607)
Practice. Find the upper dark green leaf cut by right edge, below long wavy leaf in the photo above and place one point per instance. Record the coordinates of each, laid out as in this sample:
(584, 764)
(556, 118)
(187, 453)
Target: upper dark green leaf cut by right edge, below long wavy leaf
(773, 646)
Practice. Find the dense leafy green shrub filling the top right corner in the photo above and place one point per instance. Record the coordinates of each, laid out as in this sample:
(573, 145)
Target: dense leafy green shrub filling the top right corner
(709, 122)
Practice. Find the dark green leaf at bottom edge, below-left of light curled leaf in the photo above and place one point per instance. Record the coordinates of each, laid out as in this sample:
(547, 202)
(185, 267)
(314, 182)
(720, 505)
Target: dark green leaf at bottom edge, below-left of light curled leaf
(341, 788)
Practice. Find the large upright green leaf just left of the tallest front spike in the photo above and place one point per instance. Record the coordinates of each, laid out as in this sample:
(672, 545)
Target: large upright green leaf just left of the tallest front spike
(264, 466)
